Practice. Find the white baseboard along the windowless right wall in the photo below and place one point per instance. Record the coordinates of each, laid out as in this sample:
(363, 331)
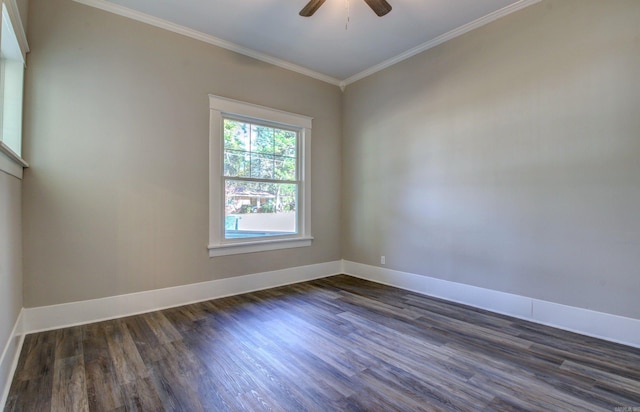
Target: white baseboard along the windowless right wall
(601, 325)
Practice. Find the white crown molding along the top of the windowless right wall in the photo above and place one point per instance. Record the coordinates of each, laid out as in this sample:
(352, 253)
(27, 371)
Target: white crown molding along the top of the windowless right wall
(439, 40)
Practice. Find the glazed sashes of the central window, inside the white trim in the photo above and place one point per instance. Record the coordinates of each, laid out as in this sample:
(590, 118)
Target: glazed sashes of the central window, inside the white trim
(260, 179)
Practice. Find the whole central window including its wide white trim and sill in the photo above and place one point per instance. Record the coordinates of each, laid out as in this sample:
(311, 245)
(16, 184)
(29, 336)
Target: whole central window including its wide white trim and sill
(259, 173)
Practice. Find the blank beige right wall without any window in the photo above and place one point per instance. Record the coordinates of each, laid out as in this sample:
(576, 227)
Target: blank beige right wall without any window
(508, 158)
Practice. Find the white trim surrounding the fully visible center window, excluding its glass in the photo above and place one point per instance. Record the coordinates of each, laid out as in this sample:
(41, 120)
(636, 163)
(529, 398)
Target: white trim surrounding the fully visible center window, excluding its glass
(218, 245)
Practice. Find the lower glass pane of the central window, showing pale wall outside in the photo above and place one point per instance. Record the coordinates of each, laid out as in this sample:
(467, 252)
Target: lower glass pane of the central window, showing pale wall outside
(259, 209)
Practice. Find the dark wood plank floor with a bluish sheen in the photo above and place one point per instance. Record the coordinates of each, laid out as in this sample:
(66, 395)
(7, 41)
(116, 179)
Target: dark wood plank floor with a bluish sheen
(334, 344)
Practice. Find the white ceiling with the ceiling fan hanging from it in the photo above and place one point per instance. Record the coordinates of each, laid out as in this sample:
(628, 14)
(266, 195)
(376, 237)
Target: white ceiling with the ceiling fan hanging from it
(324, 46)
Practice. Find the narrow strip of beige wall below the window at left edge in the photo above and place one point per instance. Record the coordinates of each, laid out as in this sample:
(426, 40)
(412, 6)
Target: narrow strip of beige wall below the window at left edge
(10, 259)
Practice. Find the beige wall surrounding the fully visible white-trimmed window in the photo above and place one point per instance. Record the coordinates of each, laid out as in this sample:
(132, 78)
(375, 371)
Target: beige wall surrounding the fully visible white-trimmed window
(116, 127)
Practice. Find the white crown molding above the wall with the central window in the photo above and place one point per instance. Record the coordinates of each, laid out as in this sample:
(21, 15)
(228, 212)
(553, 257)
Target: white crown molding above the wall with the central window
(207, 38)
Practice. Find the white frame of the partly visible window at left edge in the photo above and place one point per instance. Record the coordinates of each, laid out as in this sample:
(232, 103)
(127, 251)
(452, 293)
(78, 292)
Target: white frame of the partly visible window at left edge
(11, 161)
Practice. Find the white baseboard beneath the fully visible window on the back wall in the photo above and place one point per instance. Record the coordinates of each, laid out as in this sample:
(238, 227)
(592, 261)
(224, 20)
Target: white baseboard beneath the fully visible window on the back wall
(95, 310)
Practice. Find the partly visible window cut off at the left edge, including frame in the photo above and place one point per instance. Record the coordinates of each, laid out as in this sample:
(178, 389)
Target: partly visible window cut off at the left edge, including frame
(13, 49)
